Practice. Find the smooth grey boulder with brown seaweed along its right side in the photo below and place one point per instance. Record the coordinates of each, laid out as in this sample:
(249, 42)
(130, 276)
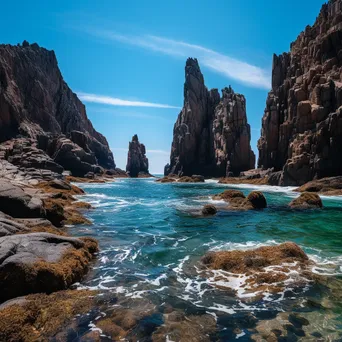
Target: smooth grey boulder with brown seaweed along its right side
(42, 262)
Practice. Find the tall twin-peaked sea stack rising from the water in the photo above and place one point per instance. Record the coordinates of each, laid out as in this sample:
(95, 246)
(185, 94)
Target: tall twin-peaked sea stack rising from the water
(211, 136)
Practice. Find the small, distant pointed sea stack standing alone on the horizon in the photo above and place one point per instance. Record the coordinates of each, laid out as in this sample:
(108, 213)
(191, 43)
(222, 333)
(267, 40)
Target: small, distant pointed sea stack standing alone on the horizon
(137, 162)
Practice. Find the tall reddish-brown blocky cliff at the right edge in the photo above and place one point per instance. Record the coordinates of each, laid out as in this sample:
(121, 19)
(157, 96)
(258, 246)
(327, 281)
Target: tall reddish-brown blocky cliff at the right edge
(302, 125)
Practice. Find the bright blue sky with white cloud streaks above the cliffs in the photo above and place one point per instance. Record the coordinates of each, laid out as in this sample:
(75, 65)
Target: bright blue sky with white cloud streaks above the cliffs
(126, 58)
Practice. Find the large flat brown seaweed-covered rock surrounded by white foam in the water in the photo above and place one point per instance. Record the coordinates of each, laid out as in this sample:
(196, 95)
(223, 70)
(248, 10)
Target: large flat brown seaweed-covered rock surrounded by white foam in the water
(265, 269)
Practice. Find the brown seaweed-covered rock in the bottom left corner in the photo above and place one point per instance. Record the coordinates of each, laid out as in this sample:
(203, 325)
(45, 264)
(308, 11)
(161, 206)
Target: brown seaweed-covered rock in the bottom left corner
(19, 318)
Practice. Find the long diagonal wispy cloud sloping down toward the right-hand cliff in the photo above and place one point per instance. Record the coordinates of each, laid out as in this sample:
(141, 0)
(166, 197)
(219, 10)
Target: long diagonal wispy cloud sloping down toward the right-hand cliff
(229, 67)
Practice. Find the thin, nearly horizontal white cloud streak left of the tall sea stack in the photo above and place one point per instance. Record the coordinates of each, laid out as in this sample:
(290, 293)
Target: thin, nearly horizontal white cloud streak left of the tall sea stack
(113, 101)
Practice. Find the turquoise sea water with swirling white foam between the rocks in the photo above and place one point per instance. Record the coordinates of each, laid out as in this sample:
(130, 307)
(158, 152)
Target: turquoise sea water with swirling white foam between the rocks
(152, 238)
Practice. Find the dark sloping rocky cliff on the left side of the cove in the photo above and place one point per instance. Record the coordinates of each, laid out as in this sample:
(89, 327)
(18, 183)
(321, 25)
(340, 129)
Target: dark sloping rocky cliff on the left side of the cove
(36, 103)
